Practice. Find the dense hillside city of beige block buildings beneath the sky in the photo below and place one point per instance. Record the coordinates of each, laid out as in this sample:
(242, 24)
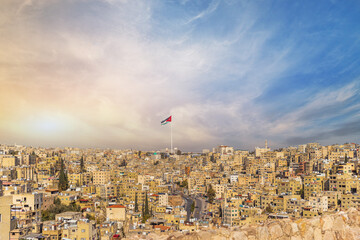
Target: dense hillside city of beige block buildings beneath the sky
(73, 193)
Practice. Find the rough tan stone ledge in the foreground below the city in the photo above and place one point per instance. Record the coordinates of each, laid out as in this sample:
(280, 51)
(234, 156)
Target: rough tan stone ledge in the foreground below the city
(341, 225)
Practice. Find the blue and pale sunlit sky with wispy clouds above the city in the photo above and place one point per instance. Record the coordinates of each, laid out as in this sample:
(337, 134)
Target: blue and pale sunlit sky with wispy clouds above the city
(105, 73)
